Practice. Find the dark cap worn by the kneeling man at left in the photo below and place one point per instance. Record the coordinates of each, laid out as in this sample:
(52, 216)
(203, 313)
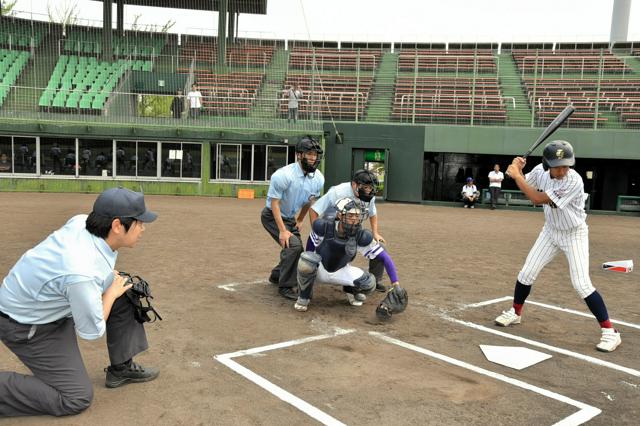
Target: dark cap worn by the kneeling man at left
(123, 202)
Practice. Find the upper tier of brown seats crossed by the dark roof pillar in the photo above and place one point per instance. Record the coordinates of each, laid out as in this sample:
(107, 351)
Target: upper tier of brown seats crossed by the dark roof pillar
(246, 55)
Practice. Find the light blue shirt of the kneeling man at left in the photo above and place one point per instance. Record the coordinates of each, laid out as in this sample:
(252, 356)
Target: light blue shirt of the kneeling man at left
(65, 275)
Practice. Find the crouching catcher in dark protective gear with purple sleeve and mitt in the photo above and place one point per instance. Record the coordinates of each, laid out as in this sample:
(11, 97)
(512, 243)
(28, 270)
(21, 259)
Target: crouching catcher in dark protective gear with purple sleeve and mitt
(337, 239)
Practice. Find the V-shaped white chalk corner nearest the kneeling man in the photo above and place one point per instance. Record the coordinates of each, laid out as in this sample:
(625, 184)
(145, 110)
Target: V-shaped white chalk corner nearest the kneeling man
(275, 390)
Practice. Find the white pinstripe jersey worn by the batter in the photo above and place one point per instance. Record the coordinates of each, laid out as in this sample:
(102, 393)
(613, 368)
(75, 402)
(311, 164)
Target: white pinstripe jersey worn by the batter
(567, 196)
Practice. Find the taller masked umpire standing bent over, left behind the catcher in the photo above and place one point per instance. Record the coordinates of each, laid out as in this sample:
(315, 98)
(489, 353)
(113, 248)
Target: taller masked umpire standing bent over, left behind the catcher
(292, 190)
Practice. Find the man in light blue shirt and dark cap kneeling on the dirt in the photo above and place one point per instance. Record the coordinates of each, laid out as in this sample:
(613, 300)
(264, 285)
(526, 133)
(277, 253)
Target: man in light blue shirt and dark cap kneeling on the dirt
(67, 285)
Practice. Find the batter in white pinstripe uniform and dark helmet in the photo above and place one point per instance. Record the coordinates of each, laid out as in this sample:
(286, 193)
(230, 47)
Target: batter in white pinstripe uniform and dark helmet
(560, 190)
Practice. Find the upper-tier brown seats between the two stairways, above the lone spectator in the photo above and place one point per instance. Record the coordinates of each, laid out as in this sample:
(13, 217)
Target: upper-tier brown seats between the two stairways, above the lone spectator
(333, 59)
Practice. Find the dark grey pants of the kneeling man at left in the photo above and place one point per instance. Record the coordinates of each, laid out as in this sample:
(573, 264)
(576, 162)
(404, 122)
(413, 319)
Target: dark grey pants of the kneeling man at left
(60, 384)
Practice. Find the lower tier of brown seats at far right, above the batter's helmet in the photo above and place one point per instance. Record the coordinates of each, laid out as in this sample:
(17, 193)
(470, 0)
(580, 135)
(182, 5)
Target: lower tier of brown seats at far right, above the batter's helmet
(618, 95)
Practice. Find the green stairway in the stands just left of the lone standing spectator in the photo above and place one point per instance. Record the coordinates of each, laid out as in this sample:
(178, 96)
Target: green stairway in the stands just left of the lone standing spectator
(266, 106)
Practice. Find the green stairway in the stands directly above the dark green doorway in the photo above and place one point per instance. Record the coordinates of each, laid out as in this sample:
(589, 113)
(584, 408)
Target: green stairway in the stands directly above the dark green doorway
(381, 95)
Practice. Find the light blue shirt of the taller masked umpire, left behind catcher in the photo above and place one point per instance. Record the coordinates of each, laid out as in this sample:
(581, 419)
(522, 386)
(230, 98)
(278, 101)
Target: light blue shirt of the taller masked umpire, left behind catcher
(293, 188)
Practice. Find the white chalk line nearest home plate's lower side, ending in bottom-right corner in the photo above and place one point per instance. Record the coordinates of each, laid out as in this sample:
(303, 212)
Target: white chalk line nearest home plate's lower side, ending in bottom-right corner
(585, 413)
